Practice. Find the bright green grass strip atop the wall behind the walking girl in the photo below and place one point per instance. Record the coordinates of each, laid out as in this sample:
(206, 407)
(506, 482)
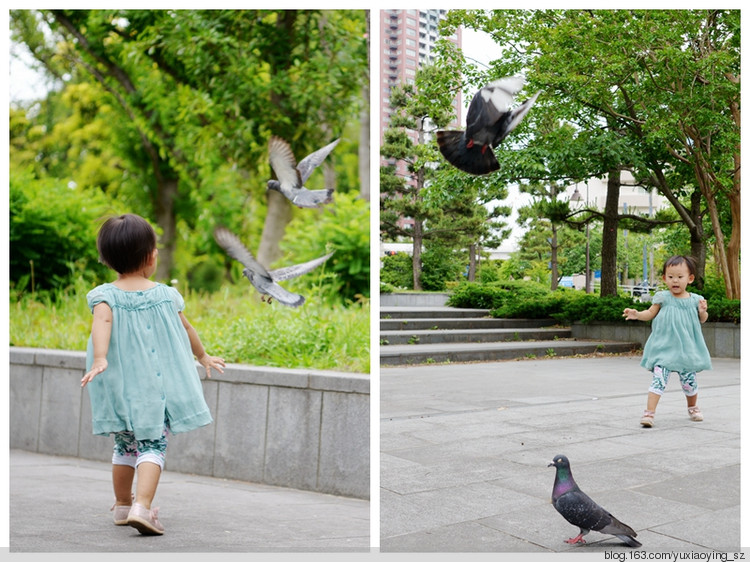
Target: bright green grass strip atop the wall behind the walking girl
(232, 323)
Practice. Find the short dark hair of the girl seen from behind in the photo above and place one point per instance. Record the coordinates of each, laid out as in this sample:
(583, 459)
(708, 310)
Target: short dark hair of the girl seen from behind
(125, 243)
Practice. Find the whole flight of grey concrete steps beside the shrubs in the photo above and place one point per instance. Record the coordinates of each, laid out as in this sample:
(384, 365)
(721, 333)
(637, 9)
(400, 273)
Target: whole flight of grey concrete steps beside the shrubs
(438, 334)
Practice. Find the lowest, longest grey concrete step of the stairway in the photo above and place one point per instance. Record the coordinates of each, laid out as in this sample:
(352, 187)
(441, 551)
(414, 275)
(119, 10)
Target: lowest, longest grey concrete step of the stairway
(495, 351)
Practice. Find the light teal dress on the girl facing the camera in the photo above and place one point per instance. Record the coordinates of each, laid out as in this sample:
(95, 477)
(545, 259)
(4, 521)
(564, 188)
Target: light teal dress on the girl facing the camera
(676, 341)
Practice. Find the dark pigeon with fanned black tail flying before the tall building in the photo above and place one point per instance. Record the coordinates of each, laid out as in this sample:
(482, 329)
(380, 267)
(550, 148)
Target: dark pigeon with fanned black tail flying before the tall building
(488, 122)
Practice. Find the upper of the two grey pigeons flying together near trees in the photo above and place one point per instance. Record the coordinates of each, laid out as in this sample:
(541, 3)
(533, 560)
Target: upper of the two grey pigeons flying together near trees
(292, 176)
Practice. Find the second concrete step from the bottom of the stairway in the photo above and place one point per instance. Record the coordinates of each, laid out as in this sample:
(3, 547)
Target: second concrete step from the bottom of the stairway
(411, 337)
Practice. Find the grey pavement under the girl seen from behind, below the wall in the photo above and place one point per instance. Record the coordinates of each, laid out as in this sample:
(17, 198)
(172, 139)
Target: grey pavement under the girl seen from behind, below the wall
(61, 504)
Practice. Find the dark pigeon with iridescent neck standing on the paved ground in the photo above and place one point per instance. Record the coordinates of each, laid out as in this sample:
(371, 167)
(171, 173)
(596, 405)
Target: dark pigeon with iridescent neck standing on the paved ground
(580, 510)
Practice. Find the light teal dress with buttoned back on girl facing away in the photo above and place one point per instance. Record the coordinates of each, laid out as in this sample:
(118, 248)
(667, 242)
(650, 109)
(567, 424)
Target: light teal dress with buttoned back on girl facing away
(151, 374)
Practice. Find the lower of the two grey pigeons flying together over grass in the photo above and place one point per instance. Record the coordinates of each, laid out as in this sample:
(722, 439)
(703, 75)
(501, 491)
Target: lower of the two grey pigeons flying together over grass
(266, 282)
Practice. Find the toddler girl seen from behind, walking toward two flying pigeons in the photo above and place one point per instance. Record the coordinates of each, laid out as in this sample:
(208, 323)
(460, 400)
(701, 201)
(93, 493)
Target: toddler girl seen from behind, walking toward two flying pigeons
(141, 377)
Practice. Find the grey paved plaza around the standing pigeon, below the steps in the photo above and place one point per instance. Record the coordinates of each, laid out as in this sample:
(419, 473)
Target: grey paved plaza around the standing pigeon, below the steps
(465, 449)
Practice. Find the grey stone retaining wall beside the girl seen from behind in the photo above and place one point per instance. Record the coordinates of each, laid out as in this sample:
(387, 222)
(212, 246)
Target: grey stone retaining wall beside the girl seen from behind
(295, 428)
